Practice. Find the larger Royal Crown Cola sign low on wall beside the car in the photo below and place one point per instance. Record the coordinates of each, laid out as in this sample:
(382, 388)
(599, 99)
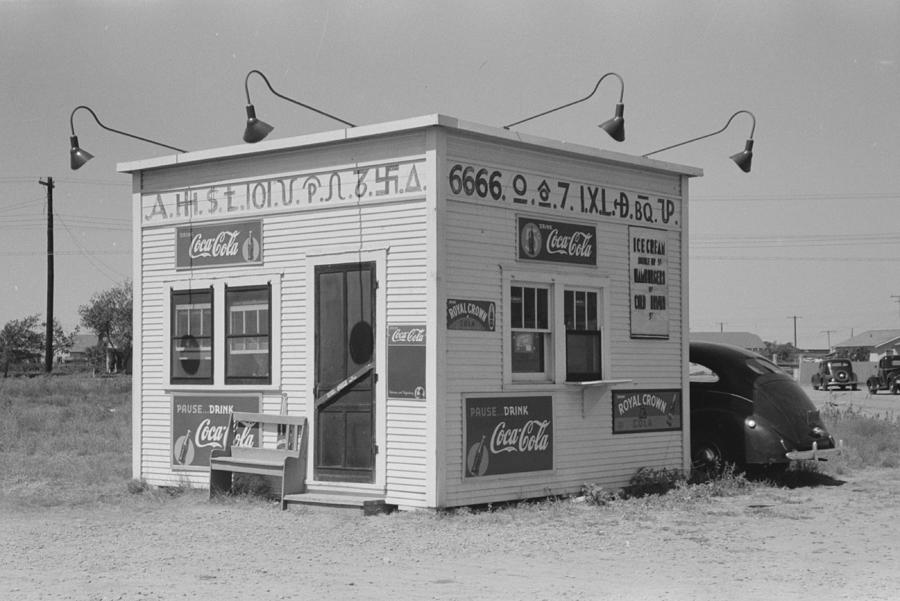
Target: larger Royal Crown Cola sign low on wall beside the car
(646, 410)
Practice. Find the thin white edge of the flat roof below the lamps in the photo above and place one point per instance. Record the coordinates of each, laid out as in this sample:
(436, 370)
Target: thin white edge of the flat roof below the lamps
(404, 125)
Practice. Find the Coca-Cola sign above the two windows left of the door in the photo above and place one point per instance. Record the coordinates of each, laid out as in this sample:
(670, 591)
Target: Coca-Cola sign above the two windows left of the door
(233, 243)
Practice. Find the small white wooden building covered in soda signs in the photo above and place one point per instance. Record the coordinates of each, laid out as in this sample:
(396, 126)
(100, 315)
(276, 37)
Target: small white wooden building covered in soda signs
(464, 314)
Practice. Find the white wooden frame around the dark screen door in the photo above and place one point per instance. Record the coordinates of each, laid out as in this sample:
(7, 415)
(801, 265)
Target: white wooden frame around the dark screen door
(378, 256)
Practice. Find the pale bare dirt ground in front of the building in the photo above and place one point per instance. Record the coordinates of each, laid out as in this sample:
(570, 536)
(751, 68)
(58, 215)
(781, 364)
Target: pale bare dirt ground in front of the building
(825, 542)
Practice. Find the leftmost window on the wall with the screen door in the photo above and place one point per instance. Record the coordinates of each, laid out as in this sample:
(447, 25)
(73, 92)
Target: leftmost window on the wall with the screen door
(192, 337)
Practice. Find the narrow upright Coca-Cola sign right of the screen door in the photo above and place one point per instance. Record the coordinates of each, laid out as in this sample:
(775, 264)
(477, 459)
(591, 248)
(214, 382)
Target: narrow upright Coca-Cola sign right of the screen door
(406, 361)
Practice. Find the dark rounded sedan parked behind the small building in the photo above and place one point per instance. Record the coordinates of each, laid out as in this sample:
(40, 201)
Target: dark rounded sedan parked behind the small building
(747, 411)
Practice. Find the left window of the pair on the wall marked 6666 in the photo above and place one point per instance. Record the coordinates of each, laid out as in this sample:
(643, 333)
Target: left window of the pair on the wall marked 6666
(530, 327)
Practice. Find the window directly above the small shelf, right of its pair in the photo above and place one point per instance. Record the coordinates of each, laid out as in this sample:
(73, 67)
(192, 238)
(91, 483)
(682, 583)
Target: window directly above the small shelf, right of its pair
(582, 336)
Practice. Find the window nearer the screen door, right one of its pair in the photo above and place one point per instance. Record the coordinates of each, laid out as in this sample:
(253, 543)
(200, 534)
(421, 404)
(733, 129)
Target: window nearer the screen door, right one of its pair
(248, 351)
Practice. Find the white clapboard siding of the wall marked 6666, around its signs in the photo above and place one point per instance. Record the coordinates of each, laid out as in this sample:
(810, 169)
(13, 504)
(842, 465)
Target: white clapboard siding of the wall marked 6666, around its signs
(481, 242)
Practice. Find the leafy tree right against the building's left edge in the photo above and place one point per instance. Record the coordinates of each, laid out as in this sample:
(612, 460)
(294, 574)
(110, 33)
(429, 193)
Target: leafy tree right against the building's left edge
(108, 315)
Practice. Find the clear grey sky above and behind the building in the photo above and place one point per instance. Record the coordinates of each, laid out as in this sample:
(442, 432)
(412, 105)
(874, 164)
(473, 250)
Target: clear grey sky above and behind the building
(808, 239)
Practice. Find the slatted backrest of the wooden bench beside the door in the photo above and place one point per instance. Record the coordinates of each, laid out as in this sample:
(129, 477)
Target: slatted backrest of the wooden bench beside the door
(289, 435)
